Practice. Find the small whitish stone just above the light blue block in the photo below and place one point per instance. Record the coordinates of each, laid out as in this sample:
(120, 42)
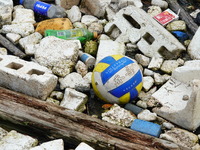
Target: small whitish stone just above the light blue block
(147, 115)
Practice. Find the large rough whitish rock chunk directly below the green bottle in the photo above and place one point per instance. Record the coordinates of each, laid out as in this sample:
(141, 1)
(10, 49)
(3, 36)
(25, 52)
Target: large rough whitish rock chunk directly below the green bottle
(57, 54)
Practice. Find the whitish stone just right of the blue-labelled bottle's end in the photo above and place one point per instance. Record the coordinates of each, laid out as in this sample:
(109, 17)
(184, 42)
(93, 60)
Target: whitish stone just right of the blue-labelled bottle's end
(74, 14)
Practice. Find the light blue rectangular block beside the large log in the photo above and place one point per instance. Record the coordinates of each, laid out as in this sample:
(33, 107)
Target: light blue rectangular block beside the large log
(146, 127)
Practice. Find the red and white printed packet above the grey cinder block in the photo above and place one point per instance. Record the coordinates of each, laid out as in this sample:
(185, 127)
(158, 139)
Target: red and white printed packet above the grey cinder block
(166, 17)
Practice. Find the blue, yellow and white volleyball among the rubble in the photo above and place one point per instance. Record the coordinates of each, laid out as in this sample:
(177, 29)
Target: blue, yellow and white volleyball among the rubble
(117, 79)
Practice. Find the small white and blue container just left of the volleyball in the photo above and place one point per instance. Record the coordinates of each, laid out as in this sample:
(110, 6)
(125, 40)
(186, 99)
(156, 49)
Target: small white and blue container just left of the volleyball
(87, 59)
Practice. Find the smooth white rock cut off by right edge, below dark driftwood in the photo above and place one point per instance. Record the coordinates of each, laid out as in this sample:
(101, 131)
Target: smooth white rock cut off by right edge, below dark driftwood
(194, 46)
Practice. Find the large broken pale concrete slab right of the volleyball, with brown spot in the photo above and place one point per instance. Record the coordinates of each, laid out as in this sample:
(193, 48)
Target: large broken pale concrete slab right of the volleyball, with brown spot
(178, 99)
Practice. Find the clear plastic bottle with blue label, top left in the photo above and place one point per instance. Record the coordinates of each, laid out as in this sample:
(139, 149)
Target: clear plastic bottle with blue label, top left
(42, 8)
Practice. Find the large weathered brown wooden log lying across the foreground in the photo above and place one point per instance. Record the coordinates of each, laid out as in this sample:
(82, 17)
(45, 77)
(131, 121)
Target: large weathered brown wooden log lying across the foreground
(74, 127)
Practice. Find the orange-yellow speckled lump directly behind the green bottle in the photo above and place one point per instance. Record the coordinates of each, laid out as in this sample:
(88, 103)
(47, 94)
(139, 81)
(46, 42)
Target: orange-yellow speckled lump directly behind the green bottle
(54, 24)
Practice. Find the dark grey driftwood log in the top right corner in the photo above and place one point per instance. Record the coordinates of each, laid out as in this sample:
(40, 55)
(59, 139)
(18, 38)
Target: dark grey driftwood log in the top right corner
(174, 5)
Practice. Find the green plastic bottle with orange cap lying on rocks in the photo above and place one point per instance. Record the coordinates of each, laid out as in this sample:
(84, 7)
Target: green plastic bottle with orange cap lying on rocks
(72, 34)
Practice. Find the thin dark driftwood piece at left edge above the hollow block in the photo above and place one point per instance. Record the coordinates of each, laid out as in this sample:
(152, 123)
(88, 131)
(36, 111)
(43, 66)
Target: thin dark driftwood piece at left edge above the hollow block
(11, 47)
